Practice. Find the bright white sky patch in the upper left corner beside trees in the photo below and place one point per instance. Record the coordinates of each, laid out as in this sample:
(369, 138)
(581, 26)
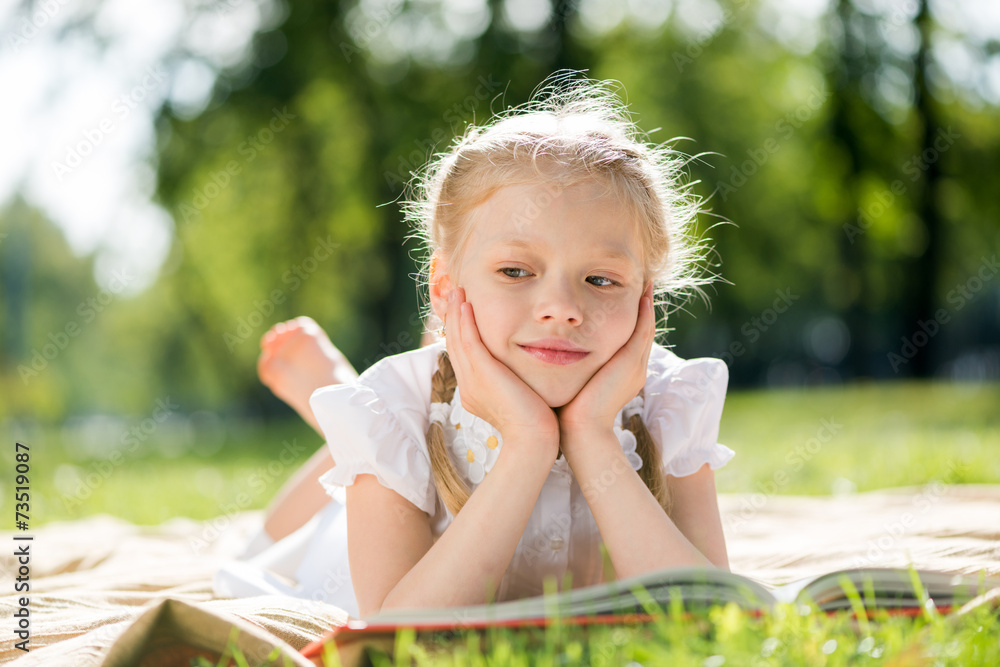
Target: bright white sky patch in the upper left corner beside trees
(78, 137)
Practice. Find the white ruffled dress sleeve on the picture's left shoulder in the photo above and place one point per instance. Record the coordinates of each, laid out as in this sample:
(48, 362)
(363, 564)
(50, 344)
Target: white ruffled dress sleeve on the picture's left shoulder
(366, 437)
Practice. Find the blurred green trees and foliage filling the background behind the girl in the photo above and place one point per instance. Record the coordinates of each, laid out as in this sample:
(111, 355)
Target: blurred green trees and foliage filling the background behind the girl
(284, 193)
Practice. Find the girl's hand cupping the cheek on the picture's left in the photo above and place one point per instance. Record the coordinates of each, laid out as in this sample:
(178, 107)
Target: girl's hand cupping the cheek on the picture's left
(489, 389)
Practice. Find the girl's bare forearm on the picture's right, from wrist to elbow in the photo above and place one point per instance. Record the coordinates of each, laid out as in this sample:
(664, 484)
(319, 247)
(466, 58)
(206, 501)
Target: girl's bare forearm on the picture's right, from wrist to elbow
(639, 535)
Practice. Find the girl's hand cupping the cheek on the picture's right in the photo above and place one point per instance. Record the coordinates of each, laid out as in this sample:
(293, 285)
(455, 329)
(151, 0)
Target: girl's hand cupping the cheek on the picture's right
(615, 384)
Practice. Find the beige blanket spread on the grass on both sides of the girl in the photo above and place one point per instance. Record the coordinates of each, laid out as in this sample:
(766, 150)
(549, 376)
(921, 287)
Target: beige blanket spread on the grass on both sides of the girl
(92, 578)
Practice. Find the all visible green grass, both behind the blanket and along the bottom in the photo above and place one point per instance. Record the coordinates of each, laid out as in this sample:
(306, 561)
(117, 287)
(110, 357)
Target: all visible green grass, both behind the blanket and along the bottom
(813, 441)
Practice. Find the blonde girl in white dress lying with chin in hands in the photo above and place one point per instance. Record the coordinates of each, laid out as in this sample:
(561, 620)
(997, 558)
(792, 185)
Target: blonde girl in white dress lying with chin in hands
(545, 425)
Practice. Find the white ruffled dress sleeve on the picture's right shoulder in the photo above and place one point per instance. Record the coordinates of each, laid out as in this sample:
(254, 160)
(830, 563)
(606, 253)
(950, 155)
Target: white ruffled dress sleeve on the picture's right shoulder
(683, 408)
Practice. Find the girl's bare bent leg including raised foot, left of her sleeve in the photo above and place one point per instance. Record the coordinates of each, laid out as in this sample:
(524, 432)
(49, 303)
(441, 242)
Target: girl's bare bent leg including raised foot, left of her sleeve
(297, 358)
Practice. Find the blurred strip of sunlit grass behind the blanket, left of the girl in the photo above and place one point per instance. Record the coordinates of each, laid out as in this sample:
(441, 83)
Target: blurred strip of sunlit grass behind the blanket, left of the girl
(175, 472)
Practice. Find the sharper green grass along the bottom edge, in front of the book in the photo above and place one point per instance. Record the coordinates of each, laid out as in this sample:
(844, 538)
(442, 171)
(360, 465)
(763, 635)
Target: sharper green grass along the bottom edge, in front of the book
(792, 635)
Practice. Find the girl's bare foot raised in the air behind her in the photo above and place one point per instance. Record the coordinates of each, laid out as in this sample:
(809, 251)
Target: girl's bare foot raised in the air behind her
(296, 359)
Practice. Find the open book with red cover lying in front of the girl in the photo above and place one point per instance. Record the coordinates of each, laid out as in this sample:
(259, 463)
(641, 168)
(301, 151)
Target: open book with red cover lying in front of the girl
(895, 590)
